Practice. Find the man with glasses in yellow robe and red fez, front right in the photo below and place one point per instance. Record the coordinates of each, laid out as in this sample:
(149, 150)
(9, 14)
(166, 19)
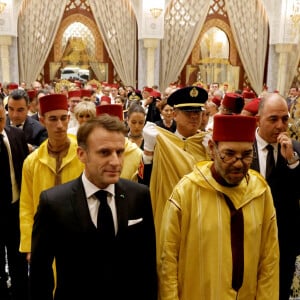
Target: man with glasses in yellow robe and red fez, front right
(218, 237)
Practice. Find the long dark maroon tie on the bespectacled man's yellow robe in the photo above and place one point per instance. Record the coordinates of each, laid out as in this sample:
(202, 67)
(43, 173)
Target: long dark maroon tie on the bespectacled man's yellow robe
(237, 244)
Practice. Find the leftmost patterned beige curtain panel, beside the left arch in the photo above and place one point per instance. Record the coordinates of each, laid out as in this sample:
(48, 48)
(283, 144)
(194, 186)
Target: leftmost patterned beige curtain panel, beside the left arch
(37, 26)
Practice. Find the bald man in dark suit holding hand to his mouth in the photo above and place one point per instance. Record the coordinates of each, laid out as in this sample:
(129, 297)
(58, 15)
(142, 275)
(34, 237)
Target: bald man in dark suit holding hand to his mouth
(283, 180)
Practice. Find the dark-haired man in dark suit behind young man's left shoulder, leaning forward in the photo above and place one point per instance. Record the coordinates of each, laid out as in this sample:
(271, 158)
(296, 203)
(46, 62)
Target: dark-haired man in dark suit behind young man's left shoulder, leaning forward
(18, 104)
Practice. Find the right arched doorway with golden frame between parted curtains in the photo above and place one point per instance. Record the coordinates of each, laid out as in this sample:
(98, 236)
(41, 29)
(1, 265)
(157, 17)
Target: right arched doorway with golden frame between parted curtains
(214, 57)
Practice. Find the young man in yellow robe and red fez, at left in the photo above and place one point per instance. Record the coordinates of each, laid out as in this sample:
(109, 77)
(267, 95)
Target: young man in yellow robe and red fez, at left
(53, 163)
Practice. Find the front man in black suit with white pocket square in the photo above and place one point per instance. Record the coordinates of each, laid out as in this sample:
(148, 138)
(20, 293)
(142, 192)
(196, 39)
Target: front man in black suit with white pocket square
(103, 246)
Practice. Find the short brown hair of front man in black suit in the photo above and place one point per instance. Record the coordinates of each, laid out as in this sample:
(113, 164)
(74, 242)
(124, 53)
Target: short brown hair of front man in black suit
(105, 121)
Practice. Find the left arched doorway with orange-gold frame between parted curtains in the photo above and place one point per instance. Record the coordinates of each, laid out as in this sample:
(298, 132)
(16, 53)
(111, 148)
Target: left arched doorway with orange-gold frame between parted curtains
(78, 45)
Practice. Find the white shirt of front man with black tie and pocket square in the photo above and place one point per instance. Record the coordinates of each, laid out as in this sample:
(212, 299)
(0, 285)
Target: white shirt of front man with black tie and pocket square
(93, 203)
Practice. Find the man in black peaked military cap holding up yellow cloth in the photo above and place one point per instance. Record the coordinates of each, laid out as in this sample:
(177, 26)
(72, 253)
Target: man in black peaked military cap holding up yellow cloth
(169, 156)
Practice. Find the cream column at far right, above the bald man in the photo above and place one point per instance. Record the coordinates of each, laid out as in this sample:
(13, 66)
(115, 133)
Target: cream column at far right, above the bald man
(283, 62)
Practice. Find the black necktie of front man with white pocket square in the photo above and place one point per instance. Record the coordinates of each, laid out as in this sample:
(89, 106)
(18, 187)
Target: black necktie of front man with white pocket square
(105, 223)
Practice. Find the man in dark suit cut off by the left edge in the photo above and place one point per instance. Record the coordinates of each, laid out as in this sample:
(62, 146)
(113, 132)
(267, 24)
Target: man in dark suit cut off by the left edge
(13, 151)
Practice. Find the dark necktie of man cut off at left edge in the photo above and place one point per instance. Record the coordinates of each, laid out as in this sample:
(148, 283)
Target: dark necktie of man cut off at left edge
(5, 182)
